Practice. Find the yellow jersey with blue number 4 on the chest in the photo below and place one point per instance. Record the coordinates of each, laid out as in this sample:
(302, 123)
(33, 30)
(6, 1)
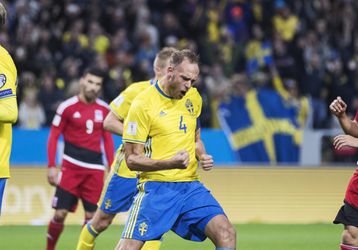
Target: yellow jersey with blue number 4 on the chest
(165, 126)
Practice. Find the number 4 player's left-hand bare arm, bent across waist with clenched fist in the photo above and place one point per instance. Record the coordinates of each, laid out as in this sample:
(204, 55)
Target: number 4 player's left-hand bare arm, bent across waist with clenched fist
(137, 161)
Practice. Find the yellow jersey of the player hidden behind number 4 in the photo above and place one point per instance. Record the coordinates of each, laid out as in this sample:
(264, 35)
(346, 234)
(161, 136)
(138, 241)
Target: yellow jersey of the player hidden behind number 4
(120, 107)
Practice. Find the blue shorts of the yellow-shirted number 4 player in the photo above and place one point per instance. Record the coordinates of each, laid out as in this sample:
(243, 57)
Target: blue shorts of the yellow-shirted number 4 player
(183, 207)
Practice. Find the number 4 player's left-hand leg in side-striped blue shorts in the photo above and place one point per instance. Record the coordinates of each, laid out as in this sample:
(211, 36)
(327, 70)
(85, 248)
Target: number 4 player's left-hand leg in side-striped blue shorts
(154, 211)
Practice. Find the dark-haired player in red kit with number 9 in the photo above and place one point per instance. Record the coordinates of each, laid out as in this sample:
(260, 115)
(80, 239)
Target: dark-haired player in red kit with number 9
(80, 120)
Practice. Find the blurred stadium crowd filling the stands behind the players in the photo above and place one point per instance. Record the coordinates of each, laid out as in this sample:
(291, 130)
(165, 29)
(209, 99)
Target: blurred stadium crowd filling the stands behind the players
(313, 45)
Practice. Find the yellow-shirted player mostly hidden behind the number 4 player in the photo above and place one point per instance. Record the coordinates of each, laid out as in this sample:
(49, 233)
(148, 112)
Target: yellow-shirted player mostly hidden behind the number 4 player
(117, 195)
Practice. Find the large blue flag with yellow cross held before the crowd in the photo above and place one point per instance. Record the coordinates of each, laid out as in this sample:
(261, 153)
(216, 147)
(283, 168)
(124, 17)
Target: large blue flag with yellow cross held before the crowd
(260, 128)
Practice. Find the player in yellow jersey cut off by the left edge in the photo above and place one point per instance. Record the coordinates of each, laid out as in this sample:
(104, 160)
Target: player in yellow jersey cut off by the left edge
(8, 108)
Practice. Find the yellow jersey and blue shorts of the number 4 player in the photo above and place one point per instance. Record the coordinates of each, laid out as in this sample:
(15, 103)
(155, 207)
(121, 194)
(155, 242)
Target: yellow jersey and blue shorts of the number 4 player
(167, 199)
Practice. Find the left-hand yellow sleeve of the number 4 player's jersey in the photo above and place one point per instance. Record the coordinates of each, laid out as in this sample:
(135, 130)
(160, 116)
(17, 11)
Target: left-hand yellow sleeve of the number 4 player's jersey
(137, 125)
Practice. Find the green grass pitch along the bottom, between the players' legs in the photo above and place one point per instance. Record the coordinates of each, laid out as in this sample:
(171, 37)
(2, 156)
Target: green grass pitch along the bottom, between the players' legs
(250, 237)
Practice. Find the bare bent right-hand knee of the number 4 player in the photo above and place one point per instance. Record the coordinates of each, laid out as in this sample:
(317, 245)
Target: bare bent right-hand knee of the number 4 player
(221, 232)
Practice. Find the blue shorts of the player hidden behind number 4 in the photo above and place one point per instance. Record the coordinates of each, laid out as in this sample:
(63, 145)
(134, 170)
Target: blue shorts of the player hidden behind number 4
(118, 194)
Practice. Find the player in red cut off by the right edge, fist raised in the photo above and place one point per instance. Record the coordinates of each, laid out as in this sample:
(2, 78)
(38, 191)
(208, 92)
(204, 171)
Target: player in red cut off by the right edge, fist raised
(348, 214)
